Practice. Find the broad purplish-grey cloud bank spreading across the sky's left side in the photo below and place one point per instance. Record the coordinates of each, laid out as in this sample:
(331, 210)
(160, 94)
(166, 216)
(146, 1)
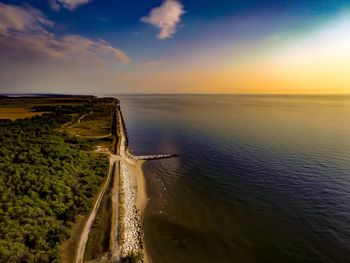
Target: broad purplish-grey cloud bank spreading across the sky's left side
(25, 35)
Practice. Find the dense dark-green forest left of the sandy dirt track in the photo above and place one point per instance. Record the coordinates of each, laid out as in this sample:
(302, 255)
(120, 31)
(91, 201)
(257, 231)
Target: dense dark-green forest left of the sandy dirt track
(46, 178)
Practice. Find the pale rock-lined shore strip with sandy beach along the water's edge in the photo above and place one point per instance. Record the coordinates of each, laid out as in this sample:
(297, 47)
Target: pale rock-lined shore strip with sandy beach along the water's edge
(132, 198)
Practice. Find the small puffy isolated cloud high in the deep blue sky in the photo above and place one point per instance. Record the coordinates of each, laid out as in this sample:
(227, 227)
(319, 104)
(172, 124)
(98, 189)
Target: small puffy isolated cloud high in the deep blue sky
(166, 17)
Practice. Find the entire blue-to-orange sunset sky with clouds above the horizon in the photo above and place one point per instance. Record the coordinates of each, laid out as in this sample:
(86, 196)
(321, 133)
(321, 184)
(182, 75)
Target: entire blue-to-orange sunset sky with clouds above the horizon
(175, 46)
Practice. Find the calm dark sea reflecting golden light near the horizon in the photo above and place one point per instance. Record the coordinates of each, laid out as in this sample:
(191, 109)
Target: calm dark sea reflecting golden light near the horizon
(258, 178)
